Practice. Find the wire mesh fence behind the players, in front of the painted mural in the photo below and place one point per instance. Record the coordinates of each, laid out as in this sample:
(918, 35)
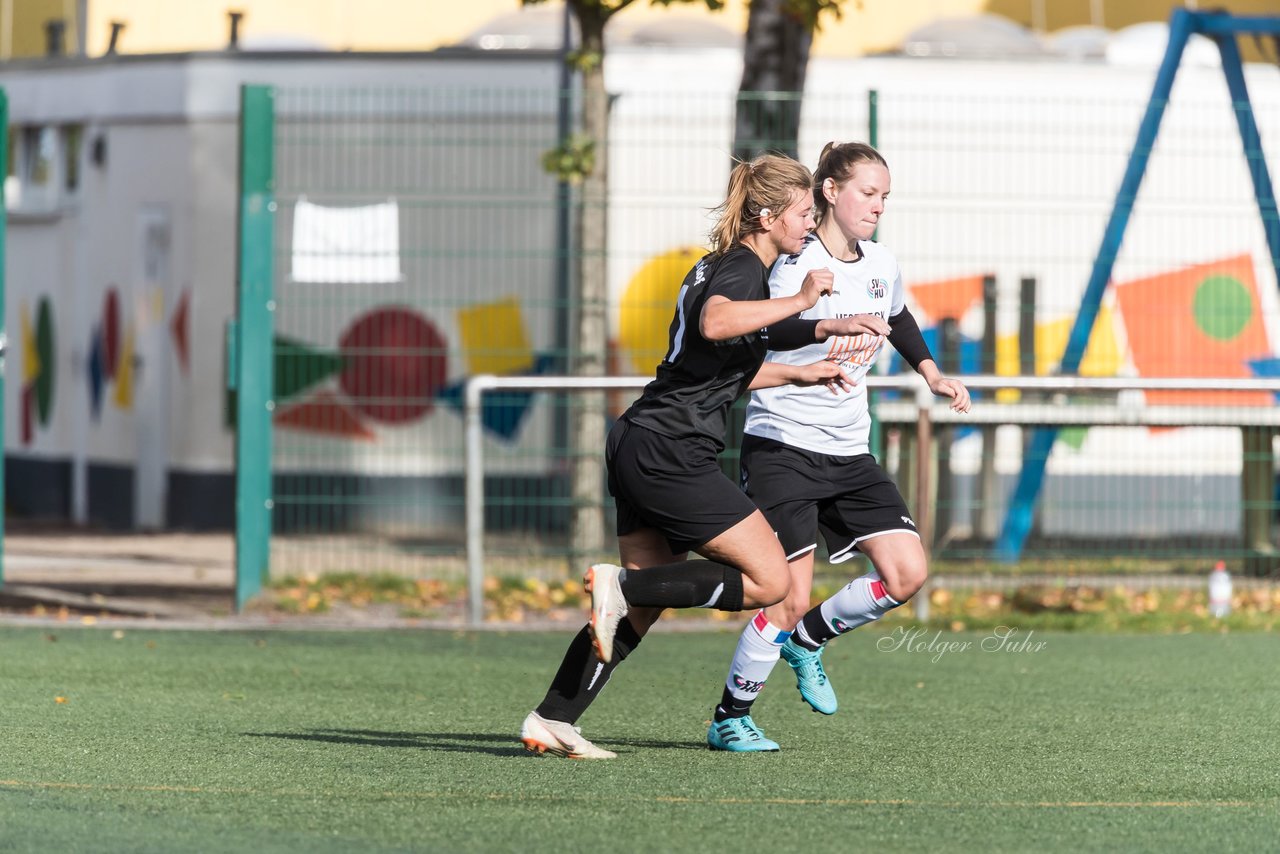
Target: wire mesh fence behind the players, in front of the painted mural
(419, 243)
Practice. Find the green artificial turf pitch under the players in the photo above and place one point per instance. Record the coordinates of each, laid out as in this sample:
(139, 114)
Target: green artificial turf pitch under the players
(408, 741)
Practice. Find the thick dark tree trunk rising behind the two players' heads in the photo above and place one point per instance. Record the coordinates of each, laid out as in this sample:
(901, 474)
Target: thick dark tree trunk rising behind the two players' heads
(775, 58)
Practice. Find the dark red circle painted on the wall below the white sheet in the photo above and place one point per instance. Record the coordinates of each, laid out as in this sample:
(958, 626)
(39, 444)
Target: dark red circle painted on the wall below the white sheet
(395, 364)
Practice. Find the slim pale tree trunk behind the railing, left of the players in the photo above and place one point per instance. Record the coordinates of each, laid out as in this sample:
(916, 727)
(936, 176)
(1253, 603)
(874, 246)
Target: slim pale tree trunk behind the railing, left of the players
(587, 432)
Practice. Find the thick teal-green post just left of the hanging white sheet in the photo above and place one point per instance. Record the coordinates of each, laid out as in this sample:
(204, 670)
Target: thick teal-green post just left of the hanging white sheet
(253, 341)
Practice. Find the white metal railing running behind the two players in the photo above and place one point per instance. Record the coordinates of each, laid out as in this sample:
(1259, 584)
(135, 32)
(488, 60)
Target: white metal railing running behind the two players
(925, 412)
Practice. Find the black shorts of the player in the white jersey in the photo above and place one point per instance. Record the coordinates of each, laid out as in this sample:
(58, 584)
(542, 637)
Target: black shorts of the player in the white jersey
(801, 492)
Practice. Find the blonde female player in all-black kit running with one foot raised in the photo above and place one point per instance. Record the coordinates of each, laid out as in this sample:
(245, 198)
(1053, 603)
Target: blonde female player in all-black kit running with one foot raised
(670, 491)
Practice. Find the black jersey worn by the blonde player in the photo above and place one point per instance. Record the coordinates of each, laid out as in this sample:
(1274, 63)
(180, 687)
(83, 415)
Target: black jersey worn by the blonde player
(700, 380)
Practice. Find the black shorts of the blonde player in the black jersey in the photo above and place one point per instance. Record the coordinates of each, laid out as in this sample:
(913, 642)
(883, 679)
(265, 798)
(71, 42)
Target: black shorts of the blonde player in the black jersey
(673, 486)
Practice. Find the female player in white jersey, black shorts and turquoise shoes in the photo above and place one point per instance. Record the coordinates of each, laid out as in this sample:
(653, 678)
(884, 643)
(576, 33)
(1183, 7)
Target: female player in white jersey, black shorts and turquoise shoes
(806, 458)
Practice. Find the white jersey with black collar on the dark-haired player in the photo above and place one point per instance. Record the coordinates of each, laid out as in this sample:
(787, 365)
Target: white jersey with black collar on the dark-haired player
(812, 418)
